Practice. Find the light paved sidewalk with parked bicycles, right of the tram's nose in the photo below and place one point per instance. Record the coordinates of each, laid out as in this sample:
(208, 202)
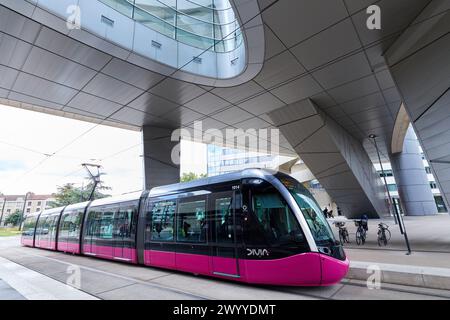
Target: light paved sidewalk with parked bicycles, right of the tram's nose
(429, 264)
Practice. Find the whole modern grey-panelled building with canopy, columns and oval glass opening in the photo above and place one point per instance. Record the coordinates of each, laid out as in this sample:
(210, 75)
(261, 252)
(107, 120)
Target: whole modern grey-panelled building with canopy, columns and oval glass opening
(322, 72)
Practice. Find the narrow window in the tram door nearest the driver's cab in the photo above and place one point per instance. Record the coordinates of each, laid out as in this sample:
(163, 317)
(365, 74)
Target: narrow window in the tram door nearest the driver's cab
(224, 220)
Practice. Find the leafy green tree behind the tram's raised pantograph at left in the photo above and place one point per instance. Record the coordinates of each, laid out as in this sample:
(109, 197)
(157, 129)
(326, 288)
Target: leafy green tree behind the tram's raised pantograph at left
(69, 194)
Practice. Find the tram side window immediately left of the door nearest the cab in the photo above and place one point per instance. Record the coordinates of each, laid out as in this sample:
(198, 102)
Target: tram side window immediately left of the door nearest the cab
(192, 221)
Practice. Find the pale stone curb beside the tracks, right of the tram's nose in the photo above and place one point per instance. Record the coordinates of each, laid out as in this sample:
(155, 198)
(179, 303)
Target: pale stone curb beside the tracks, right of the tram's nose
(426, 277)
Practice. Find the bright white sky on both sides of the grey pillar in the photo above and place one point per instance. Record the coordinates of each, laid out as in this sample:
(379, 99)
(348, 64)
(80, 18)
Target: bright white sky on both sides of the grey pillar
(27, 138)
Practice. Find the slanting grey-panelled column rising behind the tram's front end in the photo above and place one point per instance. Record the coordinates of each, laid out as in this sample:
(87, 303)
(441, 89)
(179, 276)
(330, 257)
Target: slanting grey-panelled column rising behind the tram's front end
(336, 159)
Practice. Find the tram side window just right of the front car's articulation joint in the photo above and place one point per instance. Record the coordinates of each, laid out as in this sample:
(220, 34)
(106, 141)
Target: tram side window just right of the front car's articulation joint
(162, 218)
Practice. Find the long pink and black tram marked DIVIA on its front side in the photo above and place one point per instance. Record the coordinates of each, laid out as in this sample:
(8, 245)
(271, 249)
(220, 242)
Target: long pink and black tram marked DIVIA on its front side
(253, 226)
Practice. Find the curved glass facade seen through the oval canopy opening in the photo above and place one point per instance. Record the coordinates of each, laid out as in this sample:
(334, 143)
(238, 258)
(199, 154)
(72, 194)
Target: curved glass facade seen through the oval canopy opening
(205, 24)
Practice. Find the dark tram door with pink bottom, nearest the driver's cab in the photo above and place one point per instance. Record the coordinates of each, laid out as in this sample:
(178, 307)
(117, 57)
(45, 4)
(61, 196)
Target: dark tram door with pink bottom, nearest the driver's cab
(224, 250)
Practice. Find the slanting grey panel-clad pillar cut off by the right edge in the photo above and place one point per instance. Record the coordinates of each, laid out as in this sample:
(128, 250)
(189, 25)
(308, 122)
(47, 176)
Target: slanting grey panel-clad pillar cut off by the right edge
(417, 64)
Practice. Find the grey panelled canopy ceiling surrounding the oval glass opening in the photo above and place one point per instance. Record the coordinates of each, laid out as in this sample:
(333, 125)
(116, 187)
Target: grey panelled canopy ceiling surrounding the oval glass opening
(320, 50)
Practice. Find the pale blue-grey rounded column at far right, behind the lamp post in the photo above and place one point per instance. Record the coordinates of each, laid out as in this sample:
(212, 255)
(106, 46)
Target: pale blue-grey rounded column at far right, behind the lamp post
(412, 181)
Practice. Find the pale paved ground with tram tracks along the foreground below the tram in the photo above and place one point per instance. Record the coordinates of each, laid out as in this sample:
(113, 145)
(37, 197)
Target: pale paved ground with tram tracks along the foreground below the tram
(42, 274)
